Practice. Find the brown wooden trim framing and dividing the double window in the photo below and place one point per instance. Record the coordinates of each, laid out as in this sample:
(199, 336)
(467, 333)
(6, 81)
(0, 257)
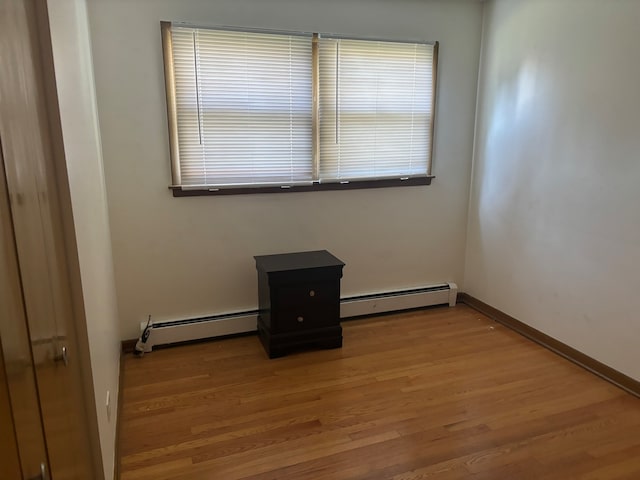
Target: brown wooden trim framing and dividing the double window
(180, 190)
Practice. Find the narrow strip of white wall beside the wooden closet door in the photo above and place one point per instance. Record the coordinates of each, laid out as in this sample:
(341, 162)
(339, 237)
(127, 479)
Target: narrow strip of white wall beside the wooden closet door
(76, 95)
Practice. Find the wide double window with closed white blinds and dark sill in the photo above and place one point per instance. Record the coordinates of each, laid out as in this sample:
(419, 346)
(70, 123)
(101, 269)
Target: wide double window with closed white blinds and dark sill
(289, 111)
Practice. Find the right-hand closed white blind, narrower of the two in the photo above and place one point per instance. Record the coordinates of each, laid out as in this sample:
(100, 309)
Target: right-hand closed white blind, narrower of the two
(376, 109)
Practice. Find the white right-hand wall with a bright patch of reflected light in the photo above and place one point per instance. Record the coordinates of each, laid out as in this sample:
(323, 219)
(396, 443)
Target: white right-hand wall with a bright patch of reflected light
(554, 221)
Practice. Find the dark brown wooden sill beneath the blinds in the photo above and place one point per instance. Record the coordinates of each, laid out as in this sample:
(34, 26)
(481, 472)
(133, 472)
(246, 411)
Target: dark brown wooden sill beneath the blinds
(315, 187)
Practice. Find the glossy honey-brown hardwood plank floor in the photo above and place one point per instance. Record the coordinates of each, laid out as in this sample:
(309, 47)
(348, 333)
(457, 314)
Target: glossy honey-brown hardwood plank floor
(442, 394)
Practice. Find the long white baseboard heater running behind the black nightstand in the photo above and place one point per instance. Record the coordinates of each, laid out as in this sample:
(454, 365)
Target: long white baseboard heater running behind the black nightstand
(177, 331)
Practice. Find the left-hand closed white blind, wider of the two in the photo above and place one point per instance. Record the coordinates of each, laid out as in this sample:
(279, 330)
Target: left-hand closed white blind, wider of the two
(243, 107)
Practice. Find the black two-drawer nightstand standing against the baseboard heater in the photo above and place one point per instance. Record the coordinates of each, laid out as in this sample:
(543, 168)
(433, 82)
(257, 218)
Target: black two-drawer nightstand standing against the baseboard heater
(299, 301)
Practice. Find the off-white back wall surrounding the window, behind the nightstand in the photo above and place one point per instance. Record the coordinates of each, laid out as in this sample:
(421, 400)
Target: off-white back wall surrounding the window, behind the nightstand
(182, 257)
